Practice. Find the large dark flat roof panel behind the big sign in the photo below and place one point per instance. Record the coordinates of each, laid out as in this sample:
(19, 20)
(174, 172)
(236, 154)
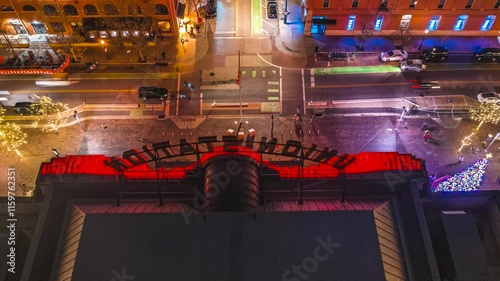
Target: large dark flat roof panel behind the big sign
(229, 246)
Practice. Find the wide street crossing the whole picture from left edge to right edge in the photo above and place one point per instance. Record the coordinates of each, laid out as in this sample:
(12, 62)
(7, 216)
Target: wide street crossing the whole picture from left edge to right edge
(259, 84)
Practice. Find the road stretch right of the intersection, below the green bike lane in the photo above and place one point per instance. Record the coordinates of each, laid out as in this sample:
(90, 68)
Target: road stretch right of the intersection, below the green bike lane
(395, 84)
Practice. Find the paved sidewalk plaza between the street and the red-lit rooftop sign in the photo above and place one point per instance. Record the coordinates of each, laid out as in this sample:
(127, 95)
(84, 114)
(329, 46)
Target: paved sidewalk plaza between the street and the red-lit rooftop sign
(352, 135)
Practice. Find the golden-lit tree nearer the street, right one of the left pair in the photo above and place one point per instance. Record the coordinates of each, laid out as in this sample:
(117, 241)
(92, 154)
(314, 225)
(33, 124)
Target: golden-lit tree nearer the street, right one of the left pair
(50, 115)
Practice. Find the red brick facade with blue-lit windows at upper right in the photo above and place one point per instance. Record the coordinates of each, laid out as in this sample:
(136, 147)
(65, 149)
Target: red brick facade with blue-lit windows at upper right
(387, 17)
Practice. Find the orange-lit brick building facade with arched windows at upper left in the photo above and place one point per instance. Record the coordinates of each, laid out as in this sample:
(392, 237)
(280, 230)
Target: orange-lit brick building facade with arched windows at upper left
(67, 17)
